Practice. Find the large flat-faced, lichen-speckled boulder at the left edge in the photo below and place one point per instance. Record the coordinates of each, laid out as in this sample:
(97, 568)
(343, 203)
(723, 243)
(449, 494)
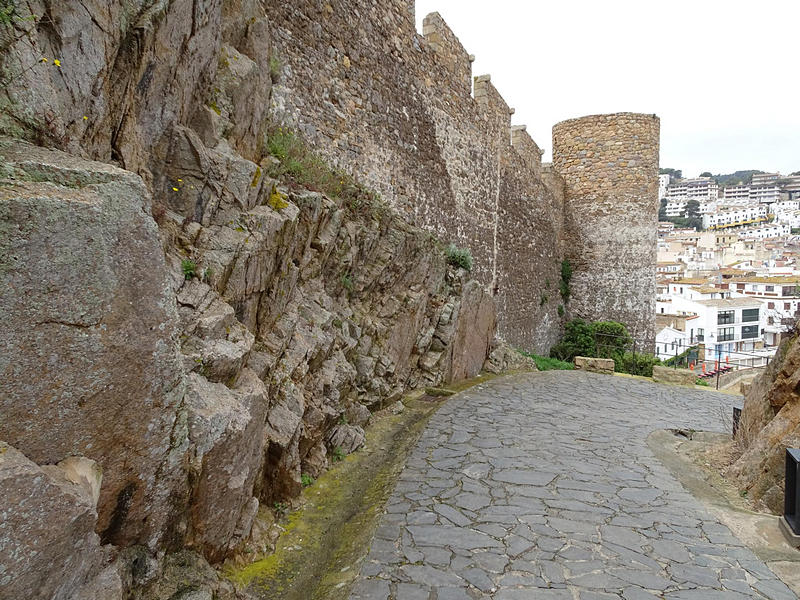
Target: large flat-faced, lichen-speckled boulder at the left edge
(88, 357)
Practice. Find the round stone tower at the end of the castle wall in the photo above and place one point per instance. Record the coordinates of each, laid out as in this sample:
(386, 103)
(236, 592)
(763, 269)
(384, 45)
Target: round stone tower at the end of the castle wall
(610, 168)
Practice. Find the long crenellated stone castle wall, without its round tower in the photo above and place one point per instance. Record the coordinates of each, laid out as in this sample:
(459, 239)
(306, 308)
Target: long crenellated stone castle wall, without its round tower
(402, 112)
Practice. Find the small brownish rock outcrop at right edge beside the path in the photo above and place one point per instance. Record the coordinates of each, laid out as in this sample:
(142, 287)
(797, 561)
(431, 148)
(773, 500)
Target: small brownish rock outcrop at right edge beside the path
(770, 423)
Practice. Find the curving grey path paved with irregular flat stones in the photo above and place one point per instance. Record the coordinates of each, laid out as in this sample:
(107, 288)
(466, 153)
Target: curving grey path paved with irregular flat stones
(542, 486)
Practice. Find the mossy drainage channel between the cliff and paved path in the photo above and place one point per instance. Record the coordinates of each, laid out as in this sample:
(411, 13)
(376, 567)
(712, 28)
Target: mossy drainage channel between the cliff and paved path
(315, 556)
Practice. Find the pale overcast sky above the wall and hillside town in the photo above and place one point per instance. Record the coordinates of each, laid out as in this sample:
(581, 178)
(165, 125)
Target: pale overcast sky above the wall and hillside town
(724, 76)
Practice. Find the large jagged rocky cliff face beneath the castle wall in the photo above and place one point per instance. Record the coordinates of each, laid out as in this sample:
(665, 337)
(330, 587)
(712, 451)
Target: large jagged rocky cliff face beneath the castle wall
(196, 331)
